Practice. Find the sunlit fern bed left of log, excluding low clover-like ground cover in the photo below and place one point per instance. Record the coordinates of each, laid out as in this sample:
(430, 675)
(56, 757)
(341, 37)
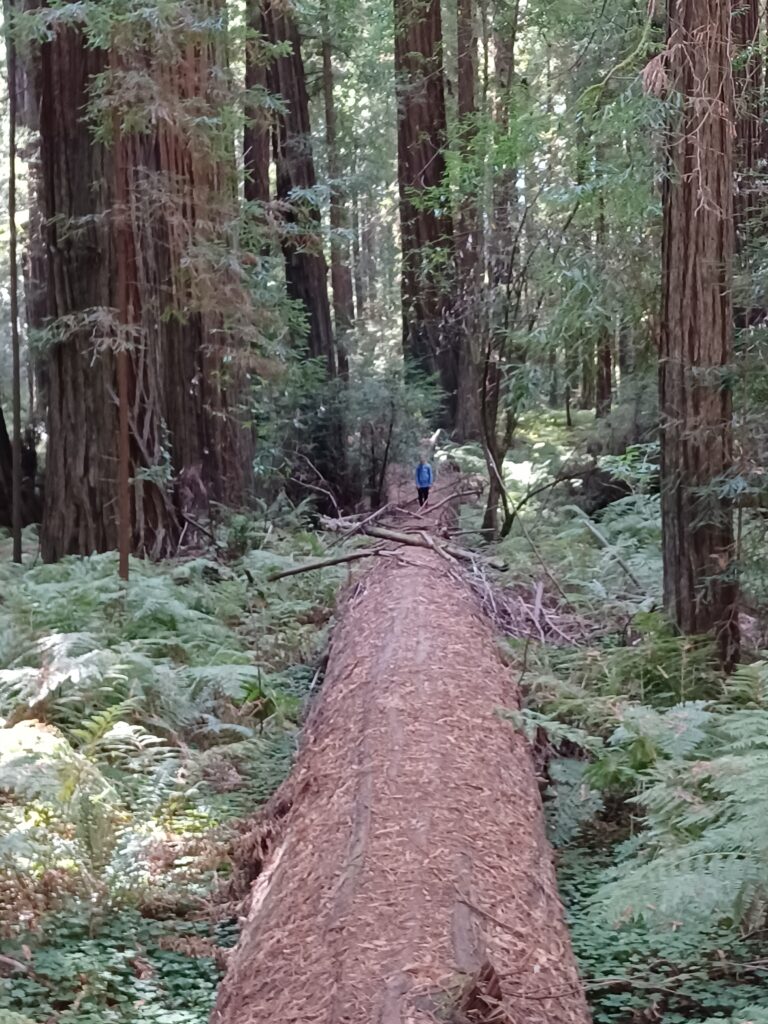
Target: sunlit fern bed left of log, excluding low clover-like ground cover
(127, 710)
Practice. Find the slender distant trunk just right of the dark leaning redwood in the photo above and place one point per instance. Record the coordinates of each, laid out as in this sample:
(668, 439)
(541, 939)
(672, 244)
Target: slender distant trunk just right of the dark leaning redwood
(342, 274)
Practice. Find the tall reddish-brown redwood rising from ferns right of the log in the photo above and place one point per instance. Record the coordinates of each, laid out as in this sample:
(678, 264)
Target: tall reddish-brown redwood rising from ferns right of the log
(701, 589)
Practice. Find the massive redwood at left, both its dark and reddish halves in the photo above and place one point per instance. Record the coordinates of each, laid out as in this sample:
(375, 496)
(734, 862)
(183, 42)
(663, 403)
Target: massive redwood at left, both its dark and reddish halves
(185, 380)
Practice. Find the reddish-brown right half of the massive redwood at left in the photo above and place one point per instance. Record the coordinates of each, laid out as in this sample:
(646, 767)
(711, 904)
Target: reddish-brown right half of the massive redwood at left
(187, 296)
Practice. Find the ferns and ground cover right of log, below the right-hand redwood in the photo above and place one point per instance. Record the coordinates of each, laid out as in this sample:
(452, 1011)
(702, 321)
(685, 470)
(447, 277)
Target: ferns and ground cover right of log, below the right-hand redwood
(658, 777)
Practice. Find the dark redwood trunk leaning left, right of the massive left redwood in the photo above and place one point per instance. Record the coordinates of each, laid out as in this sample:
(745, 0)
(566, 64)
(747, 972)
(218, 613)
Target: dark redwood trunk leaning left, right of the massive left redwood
(306, 264)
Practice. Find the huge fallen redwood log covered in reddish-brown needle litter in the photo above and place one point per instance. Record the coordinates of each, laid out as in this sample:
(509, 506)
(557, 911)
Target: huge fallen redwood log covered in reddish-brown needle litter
(409, 878)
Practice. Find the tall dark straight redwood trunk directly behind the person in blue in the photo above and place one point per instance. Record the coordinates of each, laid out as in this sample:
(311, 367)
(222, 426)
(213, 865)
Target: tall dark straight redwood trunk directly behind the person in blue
(426, 224)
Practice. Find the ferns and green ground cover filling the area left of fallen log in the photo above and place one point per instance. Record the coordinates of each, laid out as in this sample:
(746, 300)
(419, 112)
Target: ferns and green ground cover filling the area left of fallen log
(141, 723)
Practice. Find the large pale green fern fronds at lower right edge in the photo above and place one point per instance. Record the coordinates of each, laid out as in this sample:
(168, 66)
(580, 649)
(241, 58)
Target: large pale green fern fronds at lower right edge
(703, 858)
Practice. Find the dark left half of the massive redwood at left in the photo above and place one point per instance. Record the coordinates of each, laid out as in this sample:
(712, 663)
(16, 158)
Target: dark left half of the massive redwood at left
(81, 465)
